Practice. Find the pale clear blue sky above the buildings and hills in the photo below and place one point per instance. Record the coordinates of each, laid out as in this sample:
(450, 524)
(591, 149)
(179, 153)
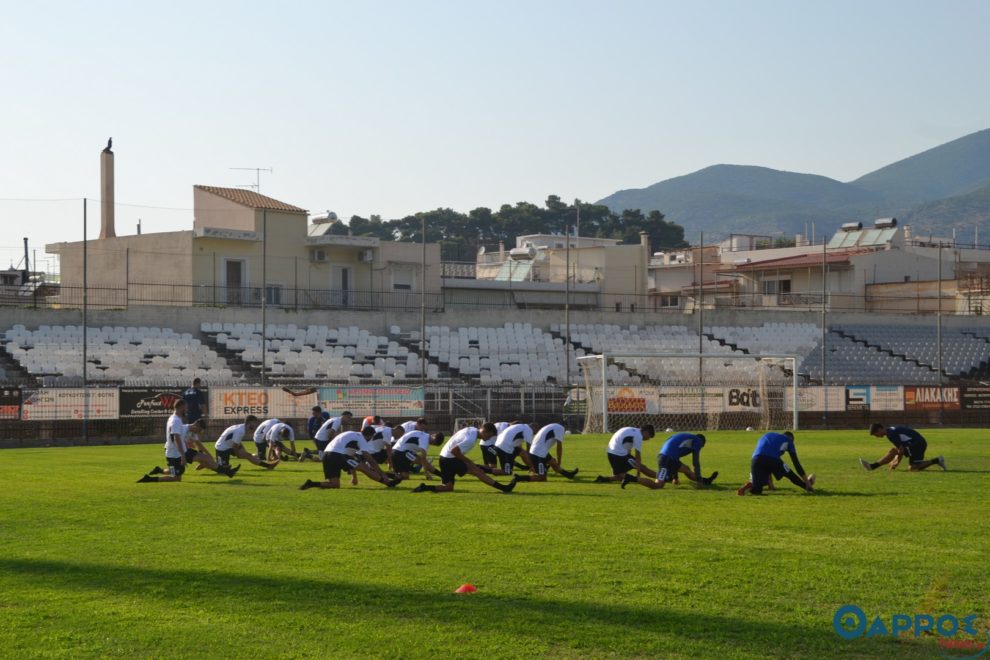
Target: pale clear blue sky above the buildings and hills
(397, 107)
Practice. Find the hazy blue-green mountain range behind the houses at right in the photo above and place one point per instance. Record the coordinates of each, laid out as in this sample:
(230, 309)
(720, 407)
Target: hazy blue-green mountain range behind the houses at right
(936, 191)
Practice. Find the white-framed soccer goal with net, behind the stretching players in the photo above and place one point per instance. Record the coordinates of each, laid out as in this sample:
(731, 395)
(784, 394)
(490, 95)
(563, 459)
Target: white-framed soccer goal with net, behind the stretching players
(689, 391)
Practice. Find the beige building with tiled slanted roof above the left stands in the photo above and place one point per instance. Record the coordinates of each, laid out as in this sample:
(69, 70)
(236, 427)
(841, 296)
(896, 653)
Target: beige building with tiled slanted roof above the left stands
(243, 246)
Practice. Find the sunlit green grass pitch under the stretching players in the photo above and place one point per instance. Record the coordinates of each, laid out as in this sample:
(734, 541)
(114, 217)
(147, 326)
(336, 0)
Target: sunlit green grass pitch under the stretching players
(92, 564)
